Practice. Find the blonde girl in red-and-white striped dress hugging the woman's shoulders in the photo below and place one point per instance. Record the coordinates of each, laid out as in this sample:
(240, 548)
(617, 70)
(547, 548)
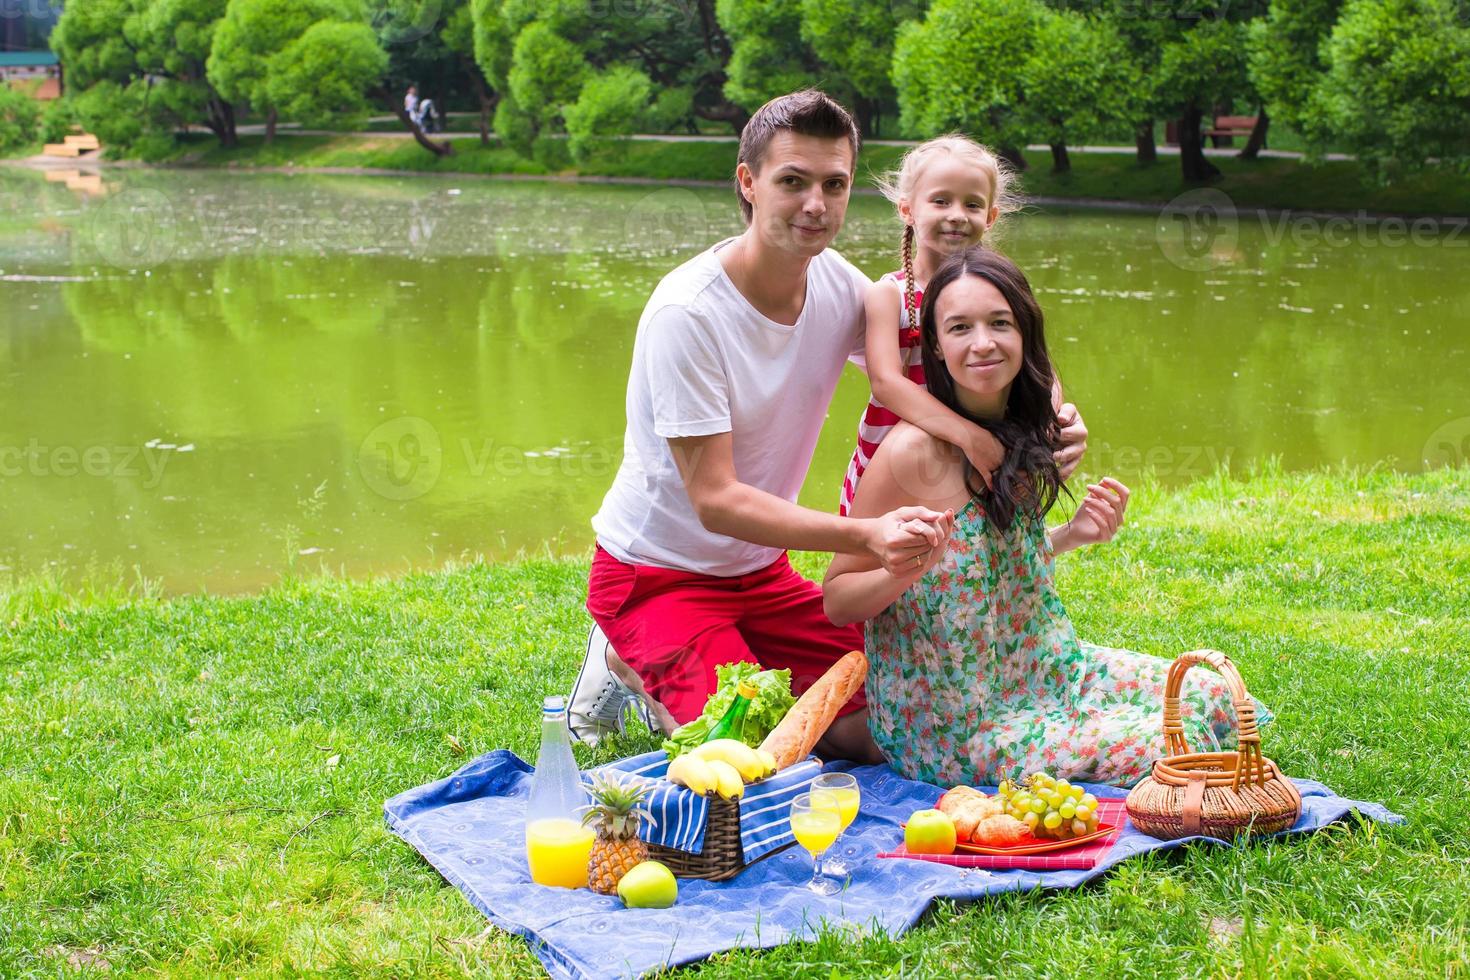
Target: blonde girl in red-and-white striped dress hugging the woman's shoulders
(949, 193)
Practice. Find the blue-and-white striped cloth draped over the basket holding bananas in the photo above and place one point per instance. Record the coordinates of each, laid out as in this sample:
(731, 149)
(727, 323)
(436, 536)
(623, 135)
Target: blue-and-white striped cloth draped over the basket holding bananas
(765, 810)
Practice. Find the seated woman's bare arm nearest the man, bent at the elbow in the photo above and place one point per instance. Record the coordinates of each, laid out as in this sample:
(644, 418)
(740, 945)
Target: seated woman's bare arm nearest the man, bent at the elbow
(858, 588)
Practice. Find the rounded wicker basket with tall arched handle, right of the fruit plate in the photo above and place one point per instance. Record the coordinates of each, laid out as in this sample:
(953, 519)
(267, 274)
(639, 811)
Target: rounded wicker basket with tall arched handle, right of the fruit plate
(1213, 794)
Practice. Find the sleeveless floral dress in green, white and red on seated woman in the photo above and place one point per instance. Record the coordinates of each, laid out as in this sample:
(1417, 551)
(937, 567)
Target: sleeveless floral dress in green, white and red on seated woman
(977, 675)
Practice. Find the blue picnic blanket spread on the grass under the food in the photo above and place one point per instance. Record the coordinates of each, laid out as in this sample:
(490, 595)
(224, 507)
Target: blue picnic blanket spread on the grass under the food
(470, 826)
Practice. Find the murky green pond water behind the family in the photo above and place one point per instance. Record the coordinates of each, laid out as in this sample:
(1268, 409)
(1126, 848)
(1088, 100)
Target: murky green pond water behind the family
(214, 377)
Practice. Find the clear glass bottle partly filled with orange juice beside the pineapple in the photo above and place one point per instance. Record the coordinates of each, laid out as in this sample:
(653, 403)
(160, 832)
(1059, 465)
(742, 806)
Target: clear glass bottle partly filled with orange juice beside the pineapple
(558, 846)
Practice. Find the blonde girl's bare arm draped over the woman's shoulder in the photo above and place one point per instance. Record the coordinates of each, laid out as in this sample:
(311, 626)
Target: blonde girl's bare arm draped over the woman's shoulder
(911, 402)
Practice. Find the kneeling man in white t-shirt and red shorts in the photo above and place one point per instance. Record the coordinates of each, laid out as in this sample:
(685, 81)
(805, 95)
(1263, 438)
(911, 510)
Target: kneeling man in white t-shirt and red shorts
(736, 361)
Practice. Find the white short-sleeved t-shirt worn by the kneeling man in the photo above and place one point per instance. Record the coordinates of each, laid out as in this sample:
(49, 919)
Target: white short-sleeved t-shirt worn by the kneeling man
(708, 362)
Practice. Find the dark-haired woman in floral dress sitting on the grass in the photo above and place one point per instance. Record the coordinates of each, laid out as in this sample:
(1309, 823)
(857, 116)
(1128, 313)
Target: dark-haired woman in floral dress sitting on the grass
(975, 672)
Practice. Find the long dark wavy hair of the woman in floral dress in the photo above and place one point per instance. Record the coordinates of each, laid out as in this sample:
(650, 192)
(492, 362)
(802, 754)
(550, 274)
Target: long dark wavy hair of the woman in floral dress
(1028, 480)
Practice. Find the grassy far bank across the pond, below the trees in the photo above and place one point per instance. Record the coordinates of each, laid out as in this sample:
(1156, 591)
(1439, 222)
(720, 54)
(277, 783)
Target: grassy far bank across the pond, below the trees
(1096, 179)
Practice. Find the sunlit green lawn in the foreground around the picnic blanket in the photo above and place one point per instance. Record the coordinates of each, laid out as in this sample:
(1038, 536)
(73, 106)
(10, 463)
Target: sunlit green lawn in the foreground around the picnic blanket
(193, 787)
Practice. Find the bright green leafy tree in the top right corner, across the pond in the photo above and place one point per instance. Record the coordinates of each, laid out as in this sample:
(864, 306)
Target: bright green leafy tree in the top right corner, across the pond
(1397, 89)
